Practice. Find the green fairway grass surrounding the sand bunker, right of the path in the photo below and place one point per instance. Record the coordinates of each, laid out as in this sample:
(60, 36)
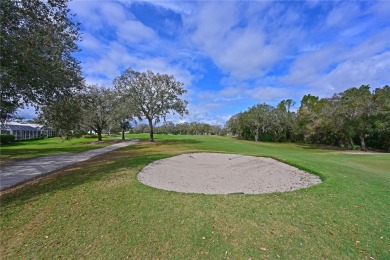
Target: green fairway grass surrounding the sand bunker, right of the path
(100, 210)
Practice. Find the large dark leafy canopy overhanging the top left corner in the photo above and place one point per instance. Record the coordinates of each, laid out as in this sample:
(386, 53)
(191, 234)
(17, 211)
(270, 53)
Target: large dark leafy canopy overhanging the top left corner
(37, 41)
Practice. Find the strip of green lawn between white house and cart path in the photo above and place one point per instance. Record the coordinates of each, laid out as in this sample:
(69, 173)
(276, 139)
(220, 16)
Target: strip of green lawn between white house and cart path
(34, 148)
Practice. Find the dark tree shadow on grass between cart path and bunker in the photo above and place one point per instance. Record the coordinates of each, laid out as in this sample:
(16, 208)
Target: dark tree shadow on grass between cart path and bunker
(94, 170)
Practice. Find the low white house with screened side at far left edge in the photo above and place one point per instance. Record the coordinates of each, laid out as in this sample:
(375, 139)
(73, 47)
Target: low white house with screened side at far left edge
(23, 131)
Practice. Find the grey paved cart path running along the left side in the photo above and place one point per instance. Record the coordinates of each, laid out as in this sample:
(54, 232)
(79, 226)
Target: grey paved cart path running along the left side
(21, 171)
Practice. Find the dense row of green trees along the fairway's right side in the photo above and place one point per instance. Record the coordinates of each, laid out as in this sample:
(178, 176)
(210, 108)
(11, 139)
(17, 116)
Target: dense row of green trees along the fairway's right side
(354, 117)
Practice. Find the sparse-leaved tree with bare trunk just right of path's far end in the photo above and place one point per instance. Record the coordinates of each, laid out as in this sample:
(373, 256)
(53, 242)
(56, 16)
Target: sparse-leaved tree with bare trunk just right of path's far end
(153, 95)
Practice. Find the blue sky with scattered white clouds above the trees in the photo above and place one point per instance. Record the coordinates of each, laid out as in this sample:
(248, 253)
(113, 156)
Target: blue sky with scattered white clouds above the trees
(231, 55)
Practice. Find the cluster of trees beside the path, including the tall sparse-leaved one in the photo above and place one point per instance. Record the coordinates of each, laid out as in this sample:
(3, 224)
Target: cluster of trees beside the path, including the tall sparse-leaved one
(135, 96)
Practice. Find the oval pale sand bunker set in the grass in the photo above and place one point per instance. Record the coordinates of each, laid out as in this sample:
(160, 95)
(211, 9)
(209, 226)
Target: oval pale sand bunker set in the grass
(214, 173)
